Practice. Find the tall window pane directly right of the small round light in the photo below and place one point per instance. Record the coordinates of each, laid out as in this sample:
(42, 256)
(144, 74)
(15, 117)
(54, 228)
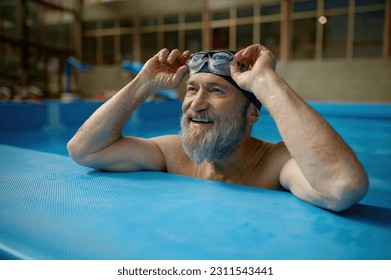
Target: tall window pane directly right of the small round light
(335, 36)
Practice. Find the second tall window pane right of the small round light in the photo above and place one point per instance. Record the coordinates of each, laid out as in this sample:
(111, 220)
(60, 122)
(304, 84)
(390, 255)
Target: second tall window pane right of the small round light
(368, 34)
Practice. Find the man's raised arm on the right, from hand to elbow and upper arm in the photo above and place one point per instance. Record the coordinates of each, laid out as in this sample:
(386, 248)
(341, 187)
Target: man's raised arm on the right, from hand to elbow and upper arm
(323, 169)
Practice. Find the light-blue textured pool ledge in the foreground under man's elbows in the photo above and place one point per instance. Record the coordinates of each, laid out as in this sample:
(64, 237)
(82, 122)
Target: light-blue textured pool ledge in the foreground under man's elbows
(51, 208)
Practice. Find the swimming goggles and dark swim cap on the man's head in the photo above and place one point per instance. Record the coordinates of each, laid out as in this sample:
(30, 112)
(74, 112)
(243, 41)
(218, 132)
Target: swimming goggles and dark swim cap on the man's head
(218, 62)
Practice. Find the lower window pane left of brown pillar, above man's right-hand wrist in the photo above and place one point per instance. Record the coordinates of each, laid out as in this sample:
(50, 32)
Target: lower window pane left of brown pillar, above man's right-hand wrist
(270, 37)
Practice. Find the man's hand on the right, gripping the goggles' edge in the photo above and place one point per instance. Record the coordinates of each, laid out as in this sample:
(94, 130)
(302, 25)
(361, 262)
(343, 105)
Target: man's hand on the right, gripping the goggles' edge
(257, 60)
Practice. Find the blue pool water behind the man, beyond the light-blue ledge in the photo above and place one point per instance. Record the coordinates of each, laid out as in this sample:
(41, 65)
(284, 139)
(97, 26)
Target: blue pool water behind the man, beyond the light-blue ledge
(48, 127)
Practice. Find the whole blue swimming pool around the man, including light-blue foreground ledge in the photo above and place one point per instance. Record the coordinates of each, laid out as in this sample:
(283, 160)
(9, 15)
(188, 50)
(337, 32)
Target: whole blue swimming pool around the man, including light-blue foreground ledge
(49, 205)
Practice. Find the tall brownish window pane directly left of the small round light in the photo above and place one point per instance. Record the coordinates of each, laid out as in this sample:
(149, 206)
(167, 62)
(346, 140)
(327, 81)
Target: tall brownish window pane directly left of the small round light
(304, 37)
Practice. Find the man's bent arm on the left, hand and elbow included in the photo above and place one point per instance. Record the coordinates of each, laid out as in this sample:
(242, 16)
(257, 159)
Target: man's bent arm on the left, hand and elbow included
(99, 144)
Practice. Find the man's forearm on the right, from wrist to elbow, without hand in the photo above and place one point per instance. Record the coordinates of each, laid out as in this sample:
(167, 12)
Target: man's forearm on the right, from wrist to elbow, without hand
(322, 155)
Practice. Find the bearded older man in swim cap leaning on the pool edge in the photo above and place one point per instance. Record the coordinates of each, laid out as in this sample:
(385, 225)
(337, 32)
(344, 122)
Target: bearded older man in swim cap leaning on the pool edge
(224, 94)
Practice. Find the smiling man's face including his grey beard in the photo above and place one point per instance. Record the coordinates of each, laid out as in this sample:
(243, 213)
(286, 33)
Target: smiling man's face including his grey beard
(214, 118)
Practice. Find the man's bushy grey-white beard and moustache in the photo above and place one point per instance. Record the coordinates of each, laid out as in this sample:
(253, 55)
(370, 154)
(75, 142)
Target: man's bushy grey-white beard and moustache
(220, 141)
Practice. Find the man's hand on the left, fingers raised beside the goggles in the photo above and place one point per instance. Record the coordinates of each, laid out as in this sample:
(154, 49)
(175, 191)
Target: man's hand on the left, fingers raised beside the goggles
(165, 70)
